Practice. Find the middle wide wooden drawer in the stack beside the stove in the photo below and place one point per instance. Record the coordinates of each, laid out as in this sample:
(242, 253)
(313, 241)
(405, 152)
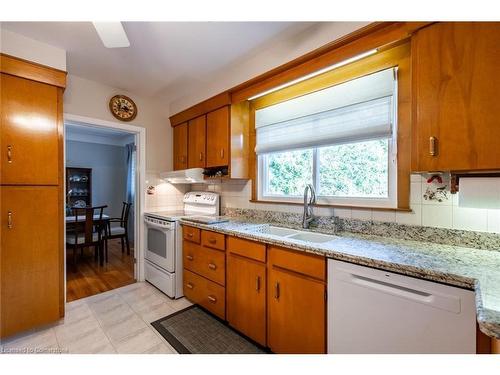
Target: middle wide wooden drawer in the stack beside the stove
(205, 261)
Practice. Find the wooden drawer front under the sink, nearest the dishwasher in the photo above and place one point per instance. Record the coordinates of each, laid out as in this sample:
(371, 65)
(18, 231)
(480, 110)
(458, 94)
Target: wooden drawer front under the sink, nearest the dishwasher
(306, 264)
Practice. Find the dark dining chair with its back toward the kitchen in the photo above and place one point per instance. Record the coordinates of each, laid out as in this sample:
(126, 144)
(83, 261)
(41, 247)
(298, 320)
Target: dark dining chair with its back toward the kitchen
(86, 230)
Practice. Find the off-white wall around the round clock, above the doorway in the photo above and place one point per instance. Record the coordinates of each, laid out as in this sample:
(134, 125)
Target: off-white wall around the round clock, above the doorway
(89, 98)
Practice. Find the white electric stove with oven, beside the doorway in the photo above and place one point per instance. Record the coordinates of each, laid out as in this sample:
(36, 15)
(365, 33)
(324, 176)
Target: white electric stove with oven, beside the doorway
(163, 255)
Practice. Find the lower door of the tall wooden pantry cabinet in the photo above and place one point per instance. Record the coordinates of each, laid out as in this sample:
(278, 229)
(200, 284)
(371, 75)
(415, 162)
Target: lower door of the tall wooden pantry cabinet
(31, 257)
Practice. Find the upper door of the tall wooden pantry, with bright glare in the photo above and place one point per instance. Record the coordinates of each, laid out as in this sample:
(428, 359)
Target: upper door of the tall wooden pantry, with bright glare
(29, 132)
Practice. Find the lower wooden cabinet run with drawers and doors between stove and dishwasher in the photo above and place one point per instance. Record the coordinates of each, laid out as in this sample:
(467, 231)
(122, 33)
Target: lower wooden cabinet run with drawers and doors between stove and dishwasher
(273, 295)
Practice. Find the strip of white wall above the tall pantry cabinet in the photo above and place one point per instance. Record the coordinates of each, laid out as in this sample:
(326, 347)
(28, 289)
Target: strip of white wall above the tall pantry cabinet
(28, 49)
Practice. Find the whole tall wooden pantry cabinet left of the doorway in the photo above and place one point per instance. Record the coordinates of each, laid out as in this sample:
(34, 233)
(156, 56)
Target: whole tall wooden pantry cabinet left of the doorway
(31, 195)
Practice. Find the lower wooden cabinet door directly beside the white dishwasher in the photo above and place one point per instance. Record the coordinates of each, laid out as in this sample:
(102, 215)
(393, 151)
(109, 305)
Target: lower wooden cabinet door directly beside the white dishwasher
(296, 317)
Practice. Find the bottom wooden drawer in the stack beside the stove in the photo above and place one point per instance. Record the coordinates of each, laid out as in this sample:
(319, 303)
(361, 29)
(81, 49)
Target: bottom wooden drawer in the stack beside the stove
(205, 293)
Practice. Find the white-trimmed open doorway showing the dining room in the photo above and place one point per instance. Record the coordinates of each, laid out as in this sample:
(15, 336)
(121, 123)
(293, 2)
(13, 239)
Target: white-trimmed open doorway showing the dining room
(103, 177)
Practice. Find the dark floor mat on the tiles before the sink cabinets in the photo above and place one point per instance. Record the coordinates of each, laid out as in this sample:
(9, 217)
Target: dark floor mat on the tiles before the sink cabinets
(193, 330)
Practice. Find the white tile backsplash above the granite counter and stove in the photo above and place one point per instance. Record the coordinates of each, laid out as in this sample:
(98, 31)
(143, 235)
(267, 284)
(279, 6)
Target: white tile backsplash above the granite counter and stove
(446, 214)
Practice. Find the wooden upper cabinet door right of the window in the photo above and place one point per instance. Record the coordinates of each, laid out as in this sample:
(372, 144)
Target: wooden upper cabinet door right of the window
(455, 67)
